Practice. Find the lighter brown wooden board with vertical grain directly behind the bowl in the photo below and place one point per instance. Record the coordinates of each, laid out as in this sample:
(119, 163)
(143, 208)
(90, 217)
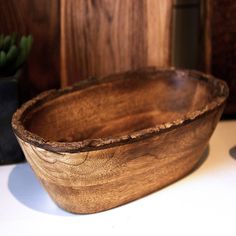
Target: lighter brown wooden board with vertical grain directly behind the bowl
(103, 37)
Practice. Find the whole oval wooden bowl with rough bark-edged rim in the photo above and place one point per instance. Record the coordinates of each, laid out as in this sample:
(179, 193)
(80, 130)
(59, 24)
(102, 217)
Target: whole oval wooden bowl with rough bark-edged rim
(106, 142)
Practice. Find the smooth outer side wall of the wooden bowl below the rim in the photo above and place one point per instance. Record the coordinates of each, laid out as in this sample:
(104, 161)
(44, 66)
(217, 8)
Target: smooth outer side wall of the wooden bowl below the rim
(93, 181)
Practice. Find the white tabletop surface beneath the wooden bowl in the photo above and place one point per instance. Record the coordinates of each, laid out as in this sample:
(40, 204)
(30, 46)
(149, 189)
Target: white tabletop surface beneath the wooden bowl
(203, 203)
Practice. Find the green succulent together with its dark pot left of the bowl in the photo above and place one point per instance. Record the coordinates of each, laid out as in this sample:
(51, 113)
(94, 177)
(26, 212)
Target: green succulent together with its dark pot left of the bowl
(14, 51)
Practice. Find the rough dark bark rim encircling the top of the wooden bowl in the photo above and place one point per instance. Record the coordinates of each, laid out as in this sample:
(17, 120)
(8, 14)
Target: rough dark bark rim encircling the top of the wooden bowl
(103, 143)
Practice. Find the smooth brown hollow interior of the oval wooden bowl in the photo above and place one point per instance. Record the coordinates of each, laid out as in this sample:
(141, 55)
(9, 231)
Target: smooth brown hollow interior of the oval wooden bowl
(118, 106)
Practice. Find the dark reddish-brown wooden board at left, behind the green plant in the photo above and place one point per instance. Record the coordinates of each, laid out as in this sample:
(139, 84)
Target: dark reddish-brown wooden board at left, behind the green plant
(41, 18)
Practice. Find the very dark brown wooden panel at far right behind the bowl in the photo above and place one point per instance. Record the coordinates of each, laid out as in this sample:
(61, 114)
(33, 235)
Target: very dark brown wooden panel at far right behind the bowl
(223, 46)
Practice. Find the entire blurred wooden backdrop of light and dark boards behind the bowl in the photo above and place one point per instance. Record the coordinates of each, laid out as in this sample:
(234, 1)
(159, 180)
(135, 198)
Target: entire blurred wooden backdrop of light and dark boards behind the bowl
(76, 39)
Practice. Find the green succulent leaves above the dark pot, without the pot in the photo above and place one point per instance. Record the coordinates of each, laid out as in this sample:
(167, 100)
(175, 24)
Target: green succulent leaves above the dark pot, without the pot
(13, 52)
